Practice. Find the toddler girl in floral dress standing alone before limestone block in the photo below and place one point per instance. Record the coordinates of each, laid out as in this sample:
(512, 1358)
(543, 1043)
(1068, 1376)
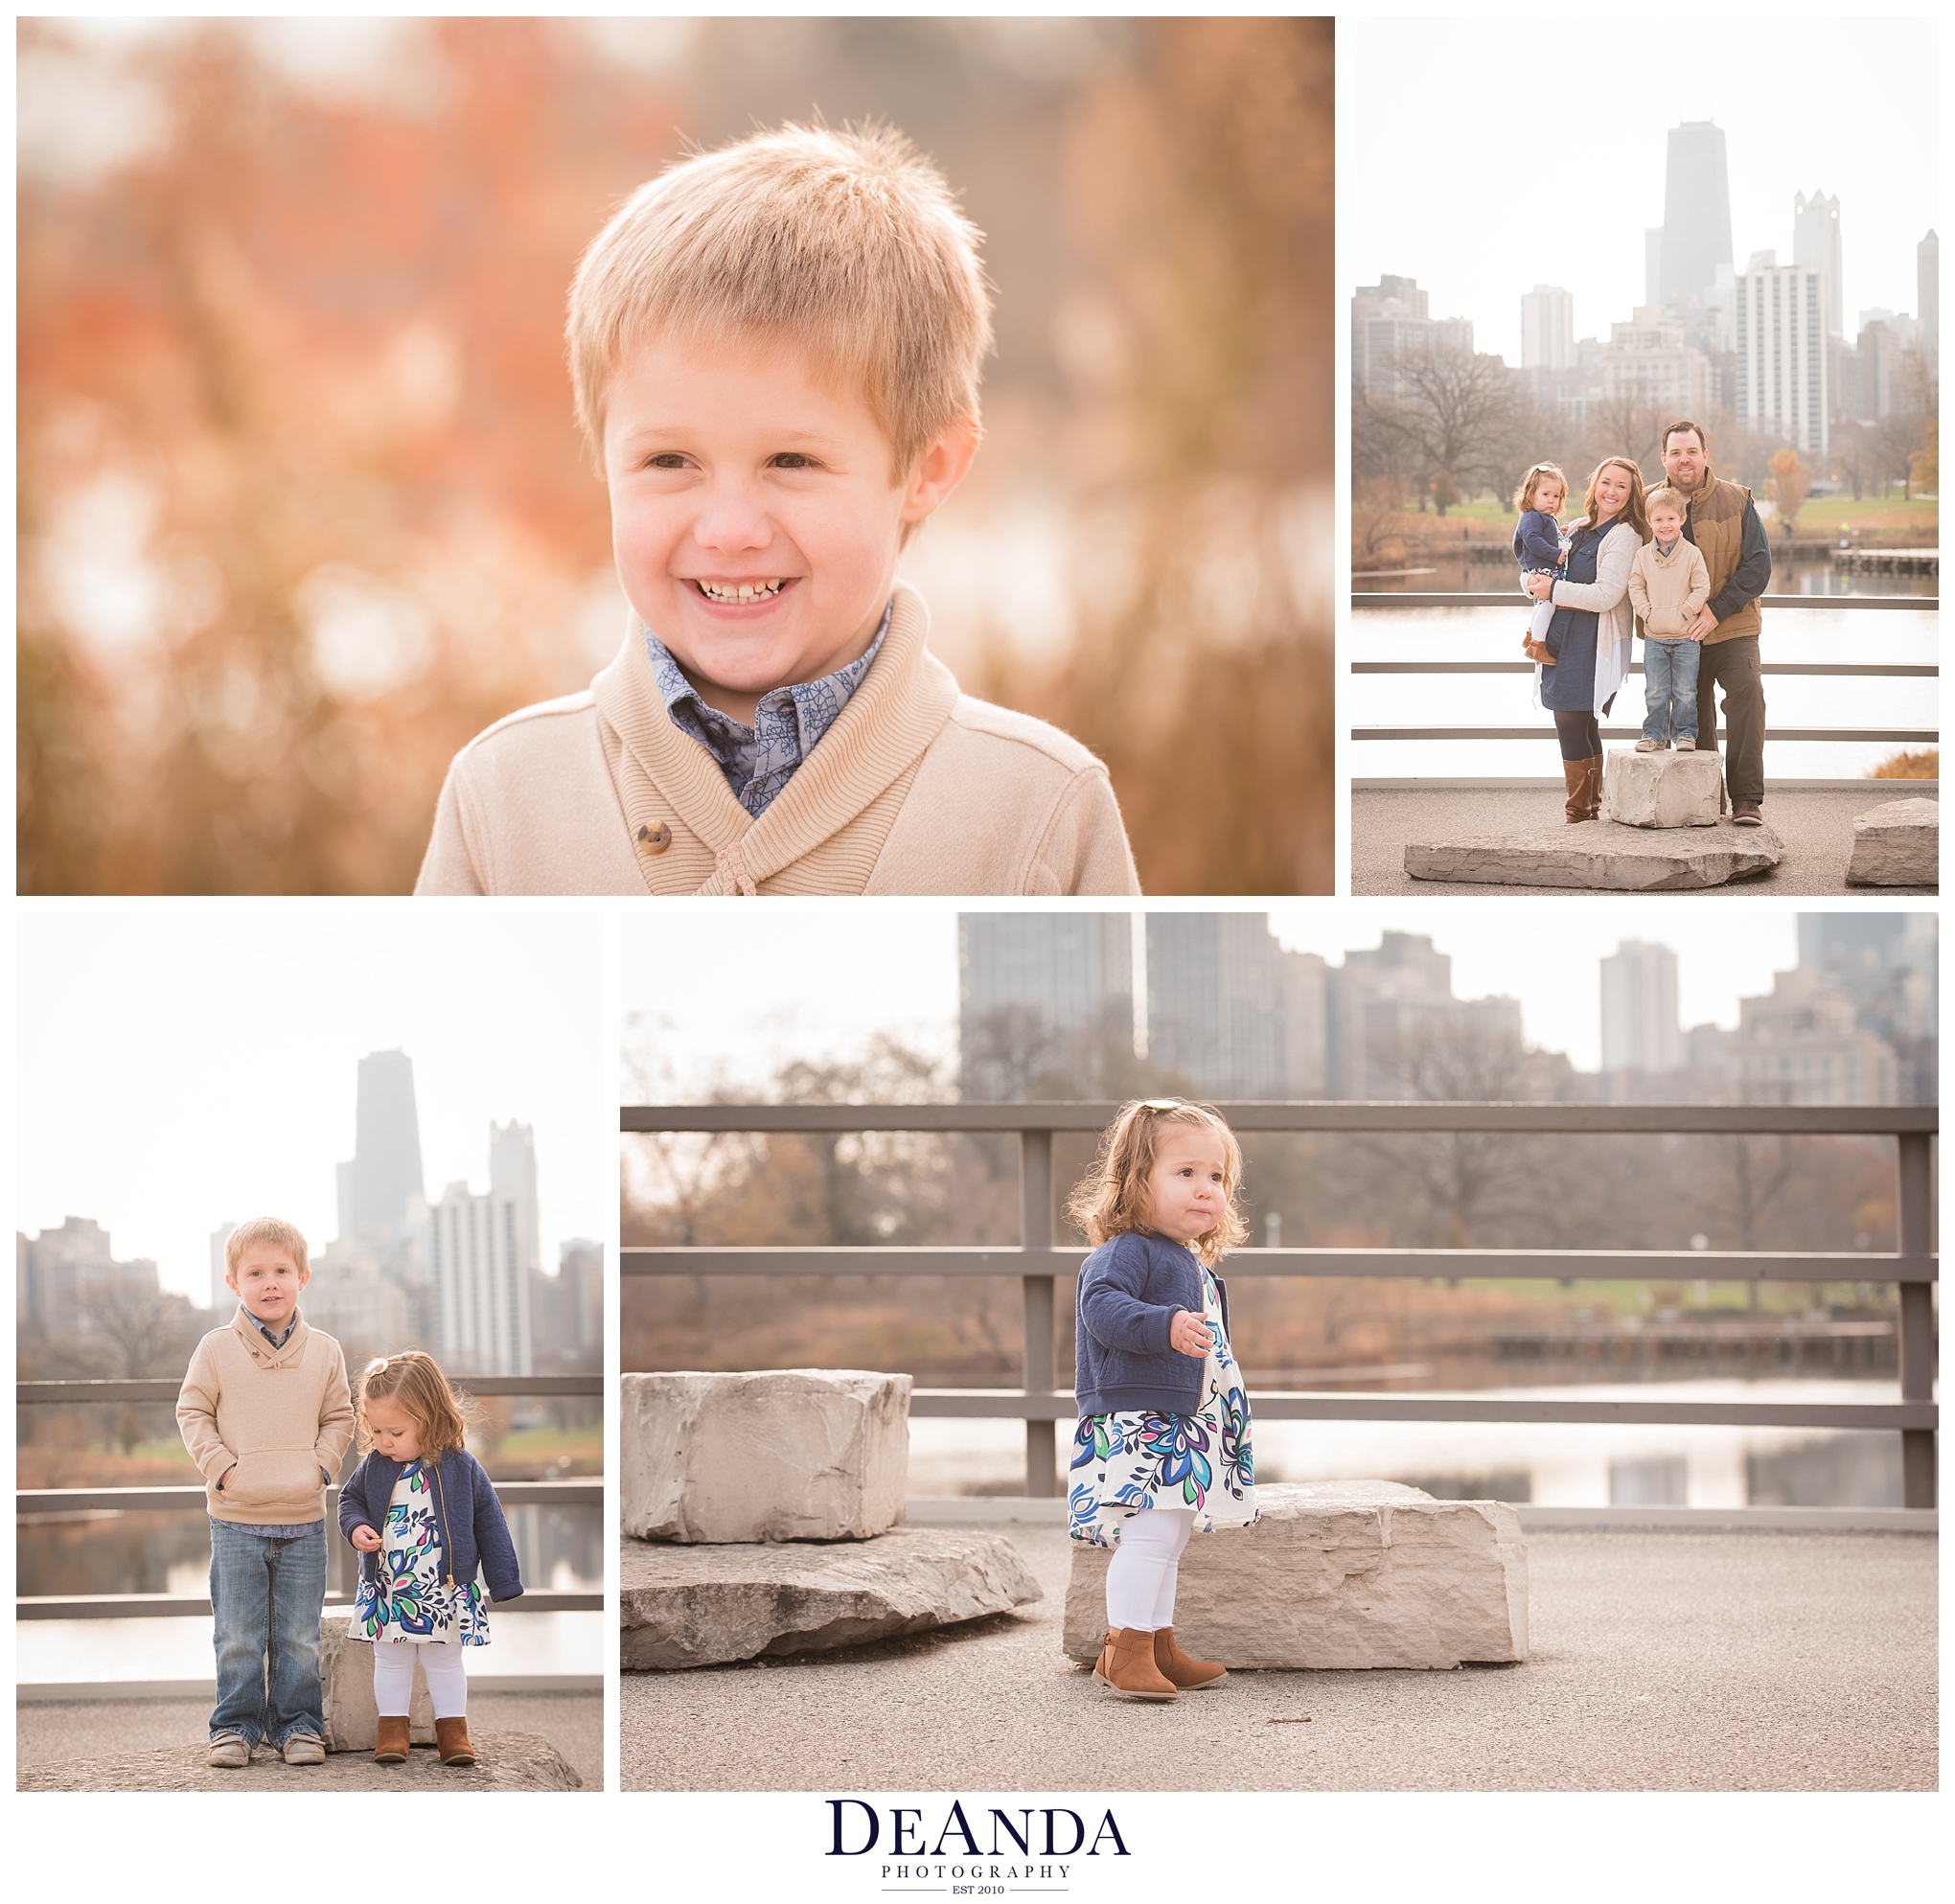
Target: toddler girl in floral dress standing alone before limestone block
(1164, 1424)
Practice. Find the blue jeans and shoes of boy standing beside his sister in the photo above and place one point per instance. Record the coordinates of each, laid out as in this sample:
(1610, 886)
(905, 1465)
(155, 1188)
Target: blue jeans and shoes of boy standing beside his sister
(269, 1596)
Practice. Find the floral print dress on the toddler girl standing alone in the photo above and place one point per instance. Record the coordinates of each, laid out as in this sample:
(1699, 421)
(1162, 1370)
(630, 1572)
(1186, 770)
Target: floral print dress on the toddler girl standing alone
(1145, 1457)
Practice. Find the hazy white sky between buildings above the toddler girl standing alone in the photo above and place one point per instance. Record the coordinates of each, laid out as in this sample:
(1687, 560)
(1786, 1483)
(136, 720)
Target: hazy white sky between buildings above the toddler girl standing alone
(718, 994)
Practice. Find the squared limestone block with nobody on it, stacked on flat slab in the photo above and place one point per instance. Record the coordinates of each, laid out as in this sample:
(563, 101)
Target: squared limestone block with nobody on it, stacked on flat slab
(777, 1455)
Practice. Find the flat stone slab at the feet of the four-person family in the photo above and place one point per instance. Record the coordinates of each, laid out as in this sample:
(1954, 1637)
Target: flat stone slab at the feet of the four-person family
(1602, 855)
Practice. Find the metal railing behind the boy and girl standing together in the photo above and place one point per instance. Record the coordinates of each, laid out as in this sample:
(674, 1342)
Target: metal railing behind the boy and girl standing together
(30, 1502)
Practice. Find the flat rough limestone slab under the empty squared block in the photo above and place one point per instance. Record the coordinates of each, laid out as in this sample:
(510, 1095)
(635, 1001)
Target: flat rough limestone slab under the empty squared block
(701, 1606)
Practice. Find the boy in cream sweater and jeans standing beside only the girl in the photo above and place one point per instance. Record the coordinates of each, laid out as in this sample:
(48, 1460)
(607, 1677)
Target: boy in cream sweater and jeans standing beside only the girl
(267, 1416)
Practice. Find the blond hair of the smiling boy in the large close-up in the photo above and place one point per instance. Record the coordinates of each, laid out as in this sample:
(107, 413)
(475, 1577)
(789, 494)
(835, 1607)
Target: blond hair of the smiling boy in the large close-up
(849, 245)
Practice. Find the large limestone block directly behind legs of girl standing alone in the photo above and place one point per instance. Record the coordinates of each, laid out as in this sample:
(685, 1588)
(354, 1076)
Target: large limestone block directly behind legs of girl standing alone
(1338, 1575)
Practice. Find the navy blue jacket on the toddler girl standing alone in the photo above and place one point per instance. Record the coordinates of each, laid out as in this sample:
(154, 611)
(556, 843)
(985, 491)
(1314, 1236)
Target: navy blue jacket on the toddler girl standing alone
(1129, 1293)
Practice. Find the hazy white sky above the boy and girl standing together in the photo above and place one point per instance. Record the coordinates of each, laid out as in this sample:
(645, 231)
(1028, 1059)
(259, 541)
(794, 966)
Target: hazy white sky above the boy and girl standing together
(187, 1068)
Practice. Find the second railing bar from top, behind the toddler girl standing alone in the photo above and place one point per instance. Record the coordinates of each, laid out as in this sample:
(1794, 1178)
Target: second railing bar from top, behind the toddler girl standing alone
(1561, 1266)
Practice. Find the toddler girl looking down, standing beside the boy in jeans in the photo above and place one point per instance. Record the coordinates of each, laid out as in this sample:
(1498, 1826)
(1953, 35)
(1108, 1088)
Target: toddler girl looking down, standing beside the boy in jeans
(417, 1580)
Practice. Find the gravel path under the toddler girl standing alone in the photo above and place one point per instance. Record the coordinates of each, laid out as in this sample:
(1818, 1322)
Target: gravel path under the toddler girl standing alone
(1661, 1661)
